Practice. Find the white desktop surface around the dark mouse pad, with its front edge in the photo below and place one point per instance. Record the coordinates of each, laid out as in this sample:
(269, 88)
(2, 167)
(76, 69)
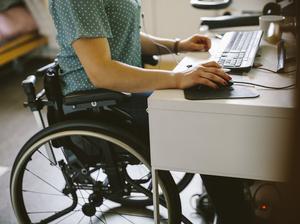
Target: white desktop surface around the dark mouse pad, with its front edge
(270, 102)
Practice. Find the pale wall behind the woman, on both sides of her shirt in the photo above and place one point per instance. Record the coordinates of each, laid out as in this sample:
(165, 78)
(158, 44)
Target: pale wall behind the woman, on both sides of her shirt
(165, 18)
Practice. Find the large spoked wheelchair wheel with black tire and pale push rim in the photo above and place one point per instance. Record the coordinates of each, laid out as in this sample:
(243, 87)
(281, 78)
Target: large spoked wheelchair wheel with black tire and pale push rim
(68, 190)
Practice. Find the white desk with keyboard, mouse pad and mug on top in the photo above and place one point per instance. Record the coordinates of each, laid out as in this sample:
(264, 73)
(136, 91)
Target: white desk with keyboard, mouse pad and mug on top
(244, 138)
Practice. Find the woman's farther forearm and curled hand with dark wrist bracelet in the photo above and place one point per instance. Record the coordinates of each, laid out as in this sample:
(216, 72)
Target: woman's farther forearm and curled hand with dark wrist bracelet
(157, 46)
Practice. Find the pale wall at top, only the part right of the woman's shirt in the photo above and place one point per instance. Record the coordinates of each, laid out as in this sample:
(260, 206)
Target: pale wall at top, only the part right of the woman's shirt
(177, 18)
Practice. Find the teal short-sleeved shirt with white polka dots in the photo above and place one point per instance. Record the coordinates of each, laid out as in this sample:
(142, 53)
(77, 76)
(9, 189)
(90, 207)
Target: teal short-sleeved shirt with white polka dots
(116, 20)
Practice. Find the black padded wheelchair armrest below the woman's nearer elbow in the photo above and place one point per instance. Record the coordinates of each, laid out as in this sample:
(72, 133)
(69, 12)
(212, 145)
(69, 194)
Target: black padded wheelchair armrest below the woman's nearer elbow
(96, 95)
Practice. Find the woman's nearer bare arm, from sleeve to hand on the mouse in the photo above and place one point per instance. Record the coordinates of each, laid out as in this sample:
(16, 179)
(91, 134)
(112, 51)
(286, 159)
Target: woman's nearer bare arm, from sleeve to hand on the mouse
(94, 54)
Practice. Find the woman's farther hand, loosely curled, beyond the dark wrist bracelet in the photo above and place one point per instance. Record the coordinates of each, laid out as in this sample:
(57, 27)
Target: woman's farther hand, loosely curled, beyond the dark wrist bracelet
(196, 42)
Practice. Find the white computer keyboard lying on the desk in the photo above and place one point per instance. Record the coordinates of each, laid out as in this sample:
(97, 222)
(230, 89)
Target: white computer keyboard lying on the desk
(240, 50)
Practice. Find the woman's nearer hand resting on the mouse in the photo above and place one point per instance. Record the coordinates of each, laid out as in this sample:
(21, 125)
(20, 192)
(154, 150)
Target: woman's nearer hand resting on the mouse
(210, 74)
